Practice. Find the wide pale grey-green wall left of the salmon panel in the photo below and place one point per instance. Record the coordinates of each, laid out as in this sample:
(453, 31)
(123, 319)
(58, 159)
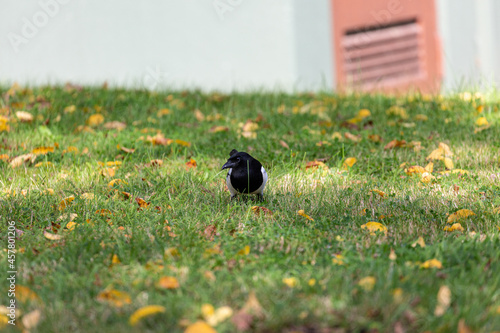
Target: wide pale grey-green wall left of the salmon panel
(216, 44)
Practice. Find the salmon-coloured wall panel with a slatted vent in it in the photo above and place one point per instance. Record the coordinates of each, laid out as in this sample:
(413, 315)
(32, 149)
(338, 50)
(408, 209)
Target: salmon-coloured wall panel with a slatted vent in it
(388, 45)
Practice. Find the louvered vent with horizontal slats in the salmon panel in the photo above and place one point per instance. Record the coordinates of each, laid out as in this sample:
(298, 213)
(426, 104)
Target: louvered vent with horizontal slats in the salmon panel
(383, 56)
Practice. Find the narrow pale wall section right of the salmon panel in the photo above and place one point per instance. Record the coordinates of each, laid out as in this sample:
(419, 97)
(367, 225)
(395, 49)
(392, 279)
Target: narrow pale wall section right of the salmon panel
(470, 31)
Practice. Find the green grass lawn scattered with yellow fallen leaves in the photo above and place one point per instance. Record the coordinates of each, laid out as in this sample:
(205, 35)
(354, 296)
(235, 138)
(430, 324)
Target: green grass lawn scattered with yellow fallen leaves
(381, 213)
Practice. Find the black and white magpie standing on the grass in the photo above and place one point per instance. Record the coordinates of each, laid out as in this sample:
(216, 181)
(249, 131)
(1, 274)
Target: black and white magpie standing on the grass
(246, 175)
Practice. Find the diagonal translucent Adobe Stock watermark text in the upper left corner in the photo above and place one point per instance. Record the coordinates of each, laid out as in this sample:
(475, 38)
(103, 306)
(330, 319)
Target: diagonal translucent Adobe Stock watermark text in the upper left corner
(32, 26)
